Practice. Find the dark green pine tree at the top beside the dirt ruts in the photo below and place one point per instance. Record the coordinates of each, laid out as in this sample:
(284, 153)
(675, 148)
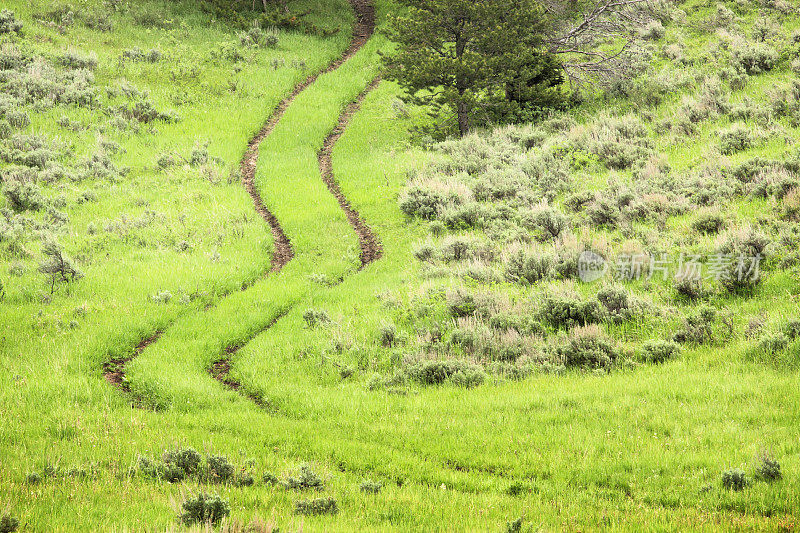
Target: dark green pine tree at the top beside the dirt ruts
(494, 53)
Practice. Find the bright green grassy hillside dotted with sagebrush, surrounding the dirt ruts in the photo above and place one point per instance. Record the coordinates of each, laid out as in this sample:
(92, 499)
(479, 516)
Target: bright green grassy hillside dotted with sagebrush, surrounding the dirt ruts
(168, 241)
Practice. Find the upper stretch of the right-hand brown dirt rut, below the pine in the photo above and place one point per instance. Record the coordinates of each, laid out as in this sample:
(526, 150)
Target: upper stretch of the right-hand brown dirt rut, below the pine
(370, 245)
